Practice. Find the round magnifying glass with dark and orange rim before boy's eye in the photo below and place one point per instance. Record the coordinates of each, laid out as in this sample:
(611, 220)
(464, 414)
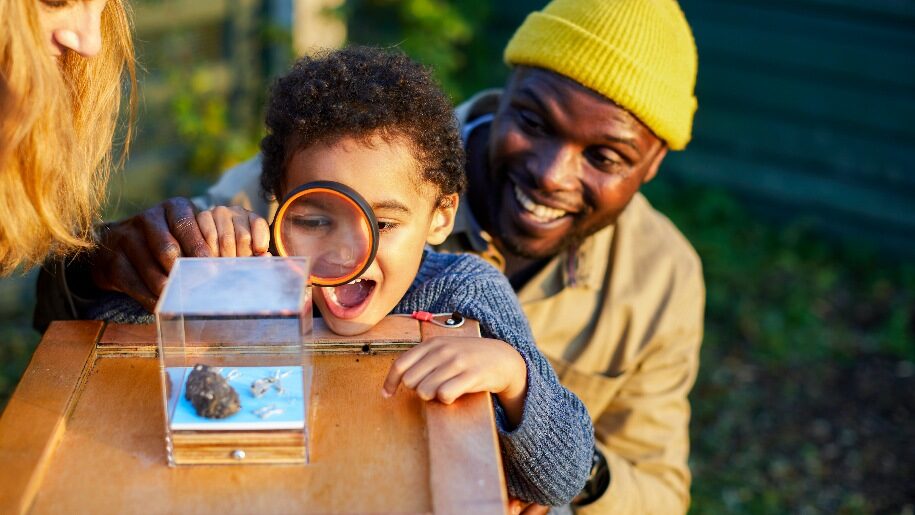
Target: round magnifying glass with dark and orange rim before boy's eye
(331, 224)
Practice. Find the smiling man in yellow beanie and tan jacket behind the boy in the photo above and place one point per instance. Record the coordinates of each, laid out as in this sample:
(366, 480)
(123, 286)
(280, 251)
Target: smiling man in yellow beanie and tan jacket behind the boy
(600, 91)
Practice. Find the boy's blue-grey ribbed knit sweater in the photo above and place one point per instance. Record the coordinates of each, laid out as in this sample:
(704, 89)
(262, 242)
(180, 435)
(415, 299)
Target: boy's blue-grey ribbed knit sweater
(547, 456)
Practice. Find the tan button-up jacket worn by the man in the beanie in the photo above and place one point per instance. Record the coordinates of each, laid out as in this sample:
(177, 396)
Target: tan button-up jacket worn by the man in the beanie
(620, 318)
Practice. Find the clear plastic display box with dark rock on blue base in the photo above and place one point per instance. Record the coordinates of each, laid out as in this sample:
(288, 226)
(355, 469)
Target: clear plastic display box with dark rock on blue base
(236, 376)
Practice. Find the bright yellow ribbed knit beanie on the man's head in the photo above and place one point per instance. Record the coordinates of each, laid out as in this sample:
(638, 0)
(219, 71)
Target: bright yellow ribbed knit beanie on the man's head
(638, 53)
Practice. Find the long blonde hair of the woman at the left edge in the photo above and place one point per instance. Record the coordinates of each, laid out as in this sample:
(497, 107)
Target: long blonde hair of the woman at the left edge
(57, 125)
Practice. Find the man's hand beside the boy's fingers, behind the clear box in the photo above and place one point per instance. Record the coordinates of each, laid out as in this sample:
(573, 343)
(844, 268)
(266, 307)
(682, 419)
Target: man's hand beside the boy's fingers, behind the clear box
(134, 256)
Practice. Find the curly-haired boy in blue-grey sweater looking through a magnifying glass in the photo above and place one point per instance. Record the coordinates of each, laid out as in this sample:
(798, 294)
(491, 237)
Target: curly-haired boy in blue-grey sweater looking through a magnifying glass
(376, 122)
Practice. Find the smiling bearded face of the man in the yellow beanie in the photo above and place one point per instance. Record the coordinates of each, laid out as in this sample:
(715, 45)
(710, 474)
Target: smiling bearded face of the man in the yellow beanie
(564, 162)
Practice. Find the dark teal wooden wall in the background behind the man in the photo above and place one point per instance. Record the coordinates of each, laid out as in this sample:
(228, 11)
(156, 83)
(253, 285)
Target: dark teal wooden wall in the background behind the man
(807, 109)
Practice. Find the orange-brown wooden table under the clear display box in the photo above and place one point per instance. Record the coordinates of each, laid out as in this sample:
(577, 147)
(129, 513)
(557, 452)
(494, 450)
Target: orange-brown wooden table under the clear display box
(84, 433)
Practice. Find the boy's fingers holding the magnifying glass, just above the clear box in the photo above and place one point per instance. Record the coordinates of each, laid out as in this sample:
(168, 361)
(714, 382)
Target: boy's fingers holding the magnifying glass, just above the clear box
(234, 232)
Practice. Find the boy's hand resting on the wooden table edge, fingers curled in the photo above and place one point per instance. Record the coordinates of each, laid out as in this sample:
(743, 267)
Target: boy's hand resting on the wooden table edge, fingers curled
(446, 367)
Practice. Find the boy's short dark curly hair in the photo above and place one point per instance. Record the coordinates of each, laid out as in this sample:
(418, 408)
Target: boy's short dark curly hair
(361, 92)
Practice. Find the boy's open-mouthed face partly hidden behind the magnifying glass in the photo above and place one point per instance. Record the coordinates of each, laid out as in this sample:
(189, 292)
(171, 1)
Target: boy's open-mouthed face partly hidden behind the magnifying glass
(388, 176)
